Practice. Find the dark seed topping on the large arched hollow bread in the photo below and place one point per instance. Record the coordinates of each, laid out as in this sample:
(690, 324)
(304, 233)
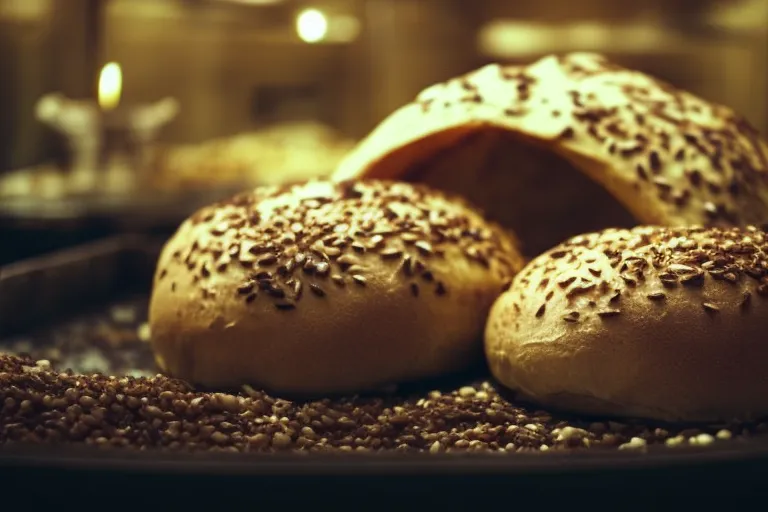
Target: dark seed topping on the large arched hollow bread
(646, 128)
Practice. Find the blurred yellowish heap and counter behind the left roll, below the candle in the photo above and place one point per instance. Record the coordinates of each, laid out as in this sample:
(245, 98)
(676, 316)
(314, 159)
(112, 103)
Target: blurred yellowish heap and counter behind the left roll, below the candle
(179, 180)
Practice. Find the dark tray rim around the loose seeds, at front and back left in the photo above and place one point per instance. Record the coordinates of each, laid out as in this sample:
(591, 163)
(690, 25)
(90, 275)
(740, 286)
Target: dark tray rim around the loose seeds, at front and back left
(51, 288)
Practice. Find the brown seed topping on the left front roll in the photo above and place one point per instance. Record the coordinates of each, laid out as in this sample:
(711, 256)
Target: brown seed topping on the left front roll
(318, 229)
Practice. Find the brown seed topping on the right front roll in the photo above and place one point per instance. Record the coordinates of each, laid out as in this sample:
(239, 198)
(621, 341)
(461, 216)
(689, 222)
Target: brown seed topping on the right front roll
(659, 258)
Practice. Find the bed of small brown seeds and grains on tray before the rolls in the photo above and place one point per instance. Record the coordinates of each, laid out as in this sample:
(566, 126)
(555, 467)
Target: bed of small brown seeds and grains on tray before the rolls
(42, 404)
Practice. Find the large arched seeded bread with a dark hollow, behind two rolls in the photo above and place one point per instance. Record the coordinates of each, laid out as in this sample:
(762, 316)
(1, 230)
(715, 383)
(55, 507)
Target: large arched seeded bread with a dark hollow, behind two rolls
(573, 144)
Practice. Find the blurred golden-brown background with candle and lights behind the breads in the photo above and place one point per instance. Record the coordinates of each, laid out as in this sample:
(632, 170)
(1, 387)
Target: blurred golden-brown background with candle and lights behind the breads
(126, 115)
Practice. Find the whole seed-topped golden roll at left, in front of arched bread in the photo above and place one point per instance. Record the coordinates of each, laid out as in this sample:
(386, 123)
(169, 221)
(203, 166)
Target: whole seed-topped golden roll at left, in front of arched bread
(322, 288)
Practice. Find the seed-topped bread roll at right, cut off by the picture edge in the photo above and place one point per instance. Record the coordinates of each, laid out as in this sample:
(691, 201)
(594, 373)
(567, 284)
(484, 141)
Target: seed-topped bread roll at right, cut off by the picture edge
(655, 322)
